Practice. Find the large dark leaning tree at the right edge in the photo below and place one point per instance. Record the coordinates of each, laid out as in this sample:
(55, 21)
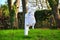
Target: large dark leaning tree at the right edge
(55, 10)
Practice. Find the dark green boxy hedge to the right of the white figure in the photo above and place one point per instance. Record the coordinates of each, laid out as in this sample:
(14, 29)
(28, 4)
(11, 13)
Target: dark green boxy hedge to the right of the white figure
(44, 19)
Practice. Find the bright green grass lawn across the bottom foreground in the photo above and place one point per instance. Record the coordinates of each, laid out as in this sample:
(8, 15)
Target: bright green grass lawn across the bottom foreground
(36, 34)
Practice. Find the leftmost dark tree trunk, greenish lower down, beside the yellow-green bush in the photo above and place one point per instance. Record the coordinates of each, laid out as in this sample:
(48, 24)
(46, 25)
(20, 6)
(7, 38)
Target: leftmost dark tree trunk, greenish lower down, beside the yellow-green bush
(11, 12)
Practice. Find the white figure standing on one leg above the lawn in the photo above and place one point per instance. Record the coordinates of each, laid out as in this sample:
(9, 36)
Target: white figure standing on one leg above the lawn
(29, 17)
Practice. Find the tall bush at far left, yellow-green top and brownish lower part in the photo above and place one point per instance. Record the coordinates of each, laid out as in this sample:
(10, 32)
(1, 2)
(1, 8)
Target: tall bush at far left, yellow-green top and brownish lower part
(4, 19)
